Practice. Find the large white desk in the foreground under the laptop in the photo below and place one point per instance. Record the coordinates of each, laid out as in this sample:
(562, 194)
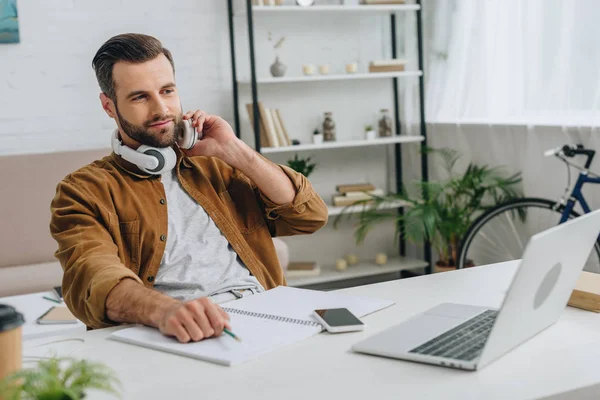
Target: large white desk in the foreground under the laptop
(563, 358)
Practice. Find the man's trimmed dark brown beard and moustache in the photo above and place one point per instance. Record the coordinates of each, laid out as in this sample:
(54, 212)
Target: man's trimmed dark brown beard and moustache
(167, 137)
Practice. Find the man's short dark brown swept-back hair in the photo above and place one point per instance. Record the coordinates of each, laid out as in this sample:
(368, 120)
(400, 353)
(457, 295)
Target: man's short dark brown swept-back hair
(129, 47)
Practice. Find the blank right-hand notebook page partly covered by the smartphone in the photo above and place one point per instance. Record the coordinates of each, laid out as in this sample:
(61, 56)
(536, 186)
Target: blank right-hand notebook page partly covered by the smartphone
(298, 303)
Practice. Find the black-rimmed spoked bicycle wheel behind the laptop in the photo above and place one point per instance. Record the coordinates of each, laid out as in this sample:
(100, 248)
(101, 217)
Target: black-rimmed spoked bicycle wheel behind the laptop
(501, 233)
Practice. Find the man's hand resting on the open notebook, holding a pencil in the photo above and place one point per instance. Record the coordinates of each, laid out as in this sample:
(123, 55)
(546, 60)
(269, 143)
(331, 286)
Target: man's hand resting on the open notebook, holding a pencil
(194, 320)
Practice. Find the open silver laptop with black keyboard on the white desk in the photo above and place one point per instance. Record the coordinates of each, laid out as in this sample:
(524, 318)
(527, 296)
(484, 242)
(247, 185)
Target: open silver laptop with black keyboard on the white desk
(470, 337)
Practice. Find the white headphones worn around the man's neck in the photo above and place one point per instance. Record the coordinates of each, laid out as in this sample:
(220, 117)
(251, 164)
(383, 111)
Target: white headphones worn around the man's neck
(155, 160)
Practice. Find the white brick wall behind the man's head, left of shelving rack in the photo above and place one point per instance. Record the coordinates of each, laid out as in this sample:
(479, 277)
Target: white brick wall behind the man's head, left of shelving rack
(48, 90)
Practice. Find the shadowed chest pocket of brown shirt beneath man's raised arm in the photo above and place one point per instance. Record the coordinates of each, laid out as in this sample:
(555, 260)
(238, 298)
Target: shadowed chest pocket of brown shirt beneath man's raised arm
(243, 206)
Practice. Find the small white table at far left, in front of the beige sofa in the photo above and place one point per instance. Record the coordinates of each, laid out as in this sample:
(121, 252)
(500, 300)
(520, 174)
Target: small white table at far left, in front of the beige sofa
(32, 306)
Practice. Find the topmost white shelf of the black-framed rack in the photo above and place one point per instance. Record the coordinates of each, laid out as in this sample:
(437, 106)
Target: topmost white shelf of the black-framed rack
(375, 8)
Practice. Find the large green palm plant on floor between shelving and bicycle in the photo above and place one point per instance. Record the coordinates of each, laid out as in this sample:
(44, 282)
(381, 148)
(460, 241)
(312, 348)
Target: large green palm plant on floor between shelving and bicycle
(443, 211)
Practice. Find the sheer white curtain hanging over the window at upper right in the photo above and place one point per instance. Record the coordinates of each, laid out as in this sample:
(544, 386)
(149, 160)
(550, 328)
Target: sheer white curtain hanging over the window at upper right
(514, 61)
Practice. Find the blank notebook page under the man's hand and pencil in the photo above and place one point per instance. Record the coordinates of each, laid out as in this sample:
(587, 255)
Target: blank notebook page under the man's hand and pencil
(259, 336)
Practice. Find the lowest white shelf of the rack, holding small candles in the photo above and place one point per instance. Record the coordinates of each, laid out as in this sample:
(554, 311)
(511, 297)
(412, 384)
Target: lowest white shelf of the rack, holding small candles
(361, 270)
